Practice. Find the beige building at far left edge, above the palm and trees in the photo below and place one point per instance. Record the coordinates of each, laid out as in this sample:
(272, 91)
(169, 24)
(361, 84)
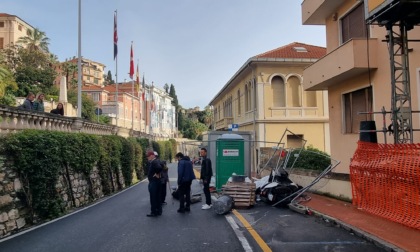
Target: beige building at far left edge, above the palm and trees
(11, 29)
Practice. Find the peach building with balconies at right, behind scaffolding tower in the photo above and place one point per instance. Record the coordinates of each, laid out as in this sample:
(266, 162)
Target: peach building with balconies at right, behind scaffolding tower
(356, 72)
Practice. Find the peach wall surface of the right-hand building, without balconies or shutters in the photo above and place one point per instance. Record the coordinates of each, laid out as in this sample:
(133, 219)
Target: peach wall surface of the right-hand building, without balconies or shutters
(343, 145)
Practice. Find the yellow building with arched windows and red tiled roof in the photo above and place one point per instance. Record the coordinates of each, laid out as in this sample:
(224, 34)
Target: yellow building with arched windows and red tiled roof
(266, 96)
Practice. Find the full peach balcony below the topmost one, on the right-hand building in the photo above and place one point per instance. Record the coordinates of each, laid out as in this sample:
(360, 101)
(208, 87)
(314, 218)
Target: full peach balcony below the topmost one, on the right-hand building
(345, 62)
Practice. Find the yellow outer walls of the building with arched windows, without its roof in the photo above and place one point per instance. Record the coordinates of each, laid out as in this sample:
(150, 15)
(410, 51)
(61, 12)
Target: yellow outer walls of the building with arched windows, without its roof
(268, 122)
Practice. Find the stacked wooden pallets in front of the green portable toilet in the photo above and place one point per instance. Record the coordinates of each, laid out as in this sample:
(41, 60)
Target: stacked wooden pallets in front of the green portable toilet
(242, 193)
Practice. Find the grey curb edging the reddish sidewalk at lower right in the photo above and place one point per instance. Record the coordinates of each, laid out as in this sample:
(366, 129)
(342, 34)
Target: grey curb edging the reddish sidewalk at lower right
(357, 231)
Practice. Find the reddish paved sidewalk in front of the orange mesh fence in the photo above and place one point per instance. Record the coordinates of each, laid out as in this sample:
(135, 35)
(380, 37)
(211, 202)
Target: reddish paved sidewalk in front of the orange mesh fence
(390, 235)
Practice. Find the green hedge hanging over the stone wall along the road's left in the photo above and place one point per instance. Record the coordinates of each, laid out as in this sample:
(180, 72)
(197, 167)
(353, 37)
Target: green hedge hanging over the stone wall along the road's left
(40, 157)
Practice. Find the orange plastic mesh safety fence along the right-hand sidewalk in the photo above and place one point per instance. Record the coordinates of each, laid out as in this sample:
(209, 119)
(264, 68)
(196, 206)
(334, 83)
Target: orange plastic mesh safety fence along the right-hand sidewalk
(385, 181)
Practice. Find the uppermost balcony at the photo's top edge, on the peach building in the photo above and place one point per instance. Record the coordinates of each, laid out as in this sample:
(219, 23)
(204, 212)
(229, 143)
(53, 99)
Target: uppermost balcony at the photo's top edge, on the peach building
(315, 12)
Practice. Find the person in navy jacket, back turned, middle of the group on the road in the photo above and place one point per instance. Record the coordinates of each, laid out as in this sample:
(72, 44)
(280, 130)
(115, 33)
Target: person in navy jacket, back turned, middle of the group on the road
(185, 177)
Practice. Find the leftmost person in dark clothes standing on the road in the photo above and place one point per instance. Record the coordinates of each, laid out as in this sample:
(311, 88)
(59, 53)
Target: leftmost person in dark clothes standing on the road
(153, 175)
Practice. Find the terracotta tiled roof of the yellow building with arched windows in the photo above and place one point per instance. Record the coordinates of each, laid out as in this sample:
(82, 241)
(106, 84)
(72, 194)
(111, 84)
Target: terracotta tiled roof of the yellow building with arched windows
(295, 50)
